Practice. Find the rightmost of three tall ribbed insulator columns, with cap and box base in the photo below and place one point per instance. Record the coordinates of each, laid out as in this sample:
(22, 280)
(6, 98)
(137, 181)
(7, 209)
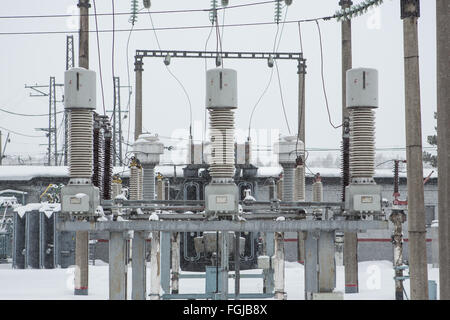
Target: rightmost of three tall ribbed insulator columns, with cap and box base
(364, 196)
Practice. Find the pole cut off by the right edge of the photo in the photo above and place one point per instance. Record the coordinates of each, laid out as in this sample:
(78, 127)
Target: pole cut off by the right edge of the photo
(443, 119)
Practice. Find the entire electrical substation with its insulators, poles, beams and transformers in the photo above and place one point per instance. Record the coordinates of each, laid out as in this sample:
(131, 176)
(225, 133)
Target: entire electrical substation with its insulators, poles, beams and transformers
(220, 217)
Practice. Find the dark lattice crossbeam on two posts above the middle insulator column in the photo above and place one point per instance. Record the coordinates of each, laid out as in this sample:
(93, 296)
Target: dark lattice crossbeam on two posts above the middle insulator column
(213, 54)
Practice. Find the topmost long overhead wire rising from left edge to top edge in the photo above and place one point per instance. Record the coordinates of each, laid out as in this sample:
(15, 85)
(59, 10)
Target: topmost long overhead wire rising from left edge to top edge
(127, 13)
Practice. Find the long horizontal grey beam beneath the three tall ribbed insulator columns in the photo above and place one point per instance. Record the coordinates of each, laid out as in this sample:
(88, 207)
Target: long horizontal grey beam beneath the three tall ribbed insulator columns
(224, 225)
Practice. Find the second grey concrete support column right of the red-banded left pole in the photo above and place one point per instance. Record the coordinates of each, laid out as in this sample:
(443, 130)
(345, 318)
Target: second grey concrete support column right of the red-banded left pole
(138, 265)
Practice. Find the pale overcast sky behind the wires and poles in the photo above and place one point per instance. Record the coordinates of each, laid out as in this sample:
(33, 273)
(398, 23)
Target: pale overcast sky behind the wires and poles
(377, 43)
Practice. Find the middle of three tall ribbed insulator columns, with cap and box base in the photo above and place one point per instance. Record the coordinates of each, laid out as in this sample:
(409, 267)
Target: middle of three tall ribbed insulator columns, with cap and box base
(221, 195)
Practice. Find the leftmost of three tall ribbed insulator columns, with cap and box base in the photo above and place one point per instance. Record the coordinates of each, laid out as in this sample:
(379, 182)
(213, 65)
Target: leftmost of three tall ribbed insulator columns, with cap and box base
(80, 196)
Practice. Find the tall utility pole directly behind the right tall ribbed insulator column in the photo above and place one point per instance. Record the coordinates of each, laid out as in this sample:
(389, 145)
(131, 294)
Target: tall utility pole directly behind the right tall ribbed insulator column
(350, 238)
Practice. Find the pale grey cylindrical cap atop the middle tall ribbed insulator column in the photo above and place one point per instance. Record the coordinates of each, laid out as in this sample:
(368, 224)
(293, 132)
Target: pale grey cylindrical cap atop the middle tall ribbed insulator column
(221, 88)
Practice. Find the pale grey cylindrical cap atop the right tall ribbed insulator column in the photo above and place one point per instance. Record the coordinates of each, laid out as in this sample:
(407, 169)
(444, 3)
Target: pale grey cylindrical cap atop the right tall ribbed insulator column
(362, 88)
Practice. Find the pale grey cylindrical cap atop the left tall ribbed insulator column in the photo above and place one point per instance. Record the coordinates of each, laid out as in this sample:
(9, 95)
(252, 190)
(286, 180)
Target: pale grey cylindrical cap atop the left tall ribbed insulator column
(79, 89)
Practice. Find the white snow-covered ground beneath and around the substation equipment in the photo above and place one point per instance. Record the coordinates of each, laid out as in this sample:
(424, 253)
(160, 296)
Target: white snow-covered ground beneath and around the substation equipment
(375, 278)
